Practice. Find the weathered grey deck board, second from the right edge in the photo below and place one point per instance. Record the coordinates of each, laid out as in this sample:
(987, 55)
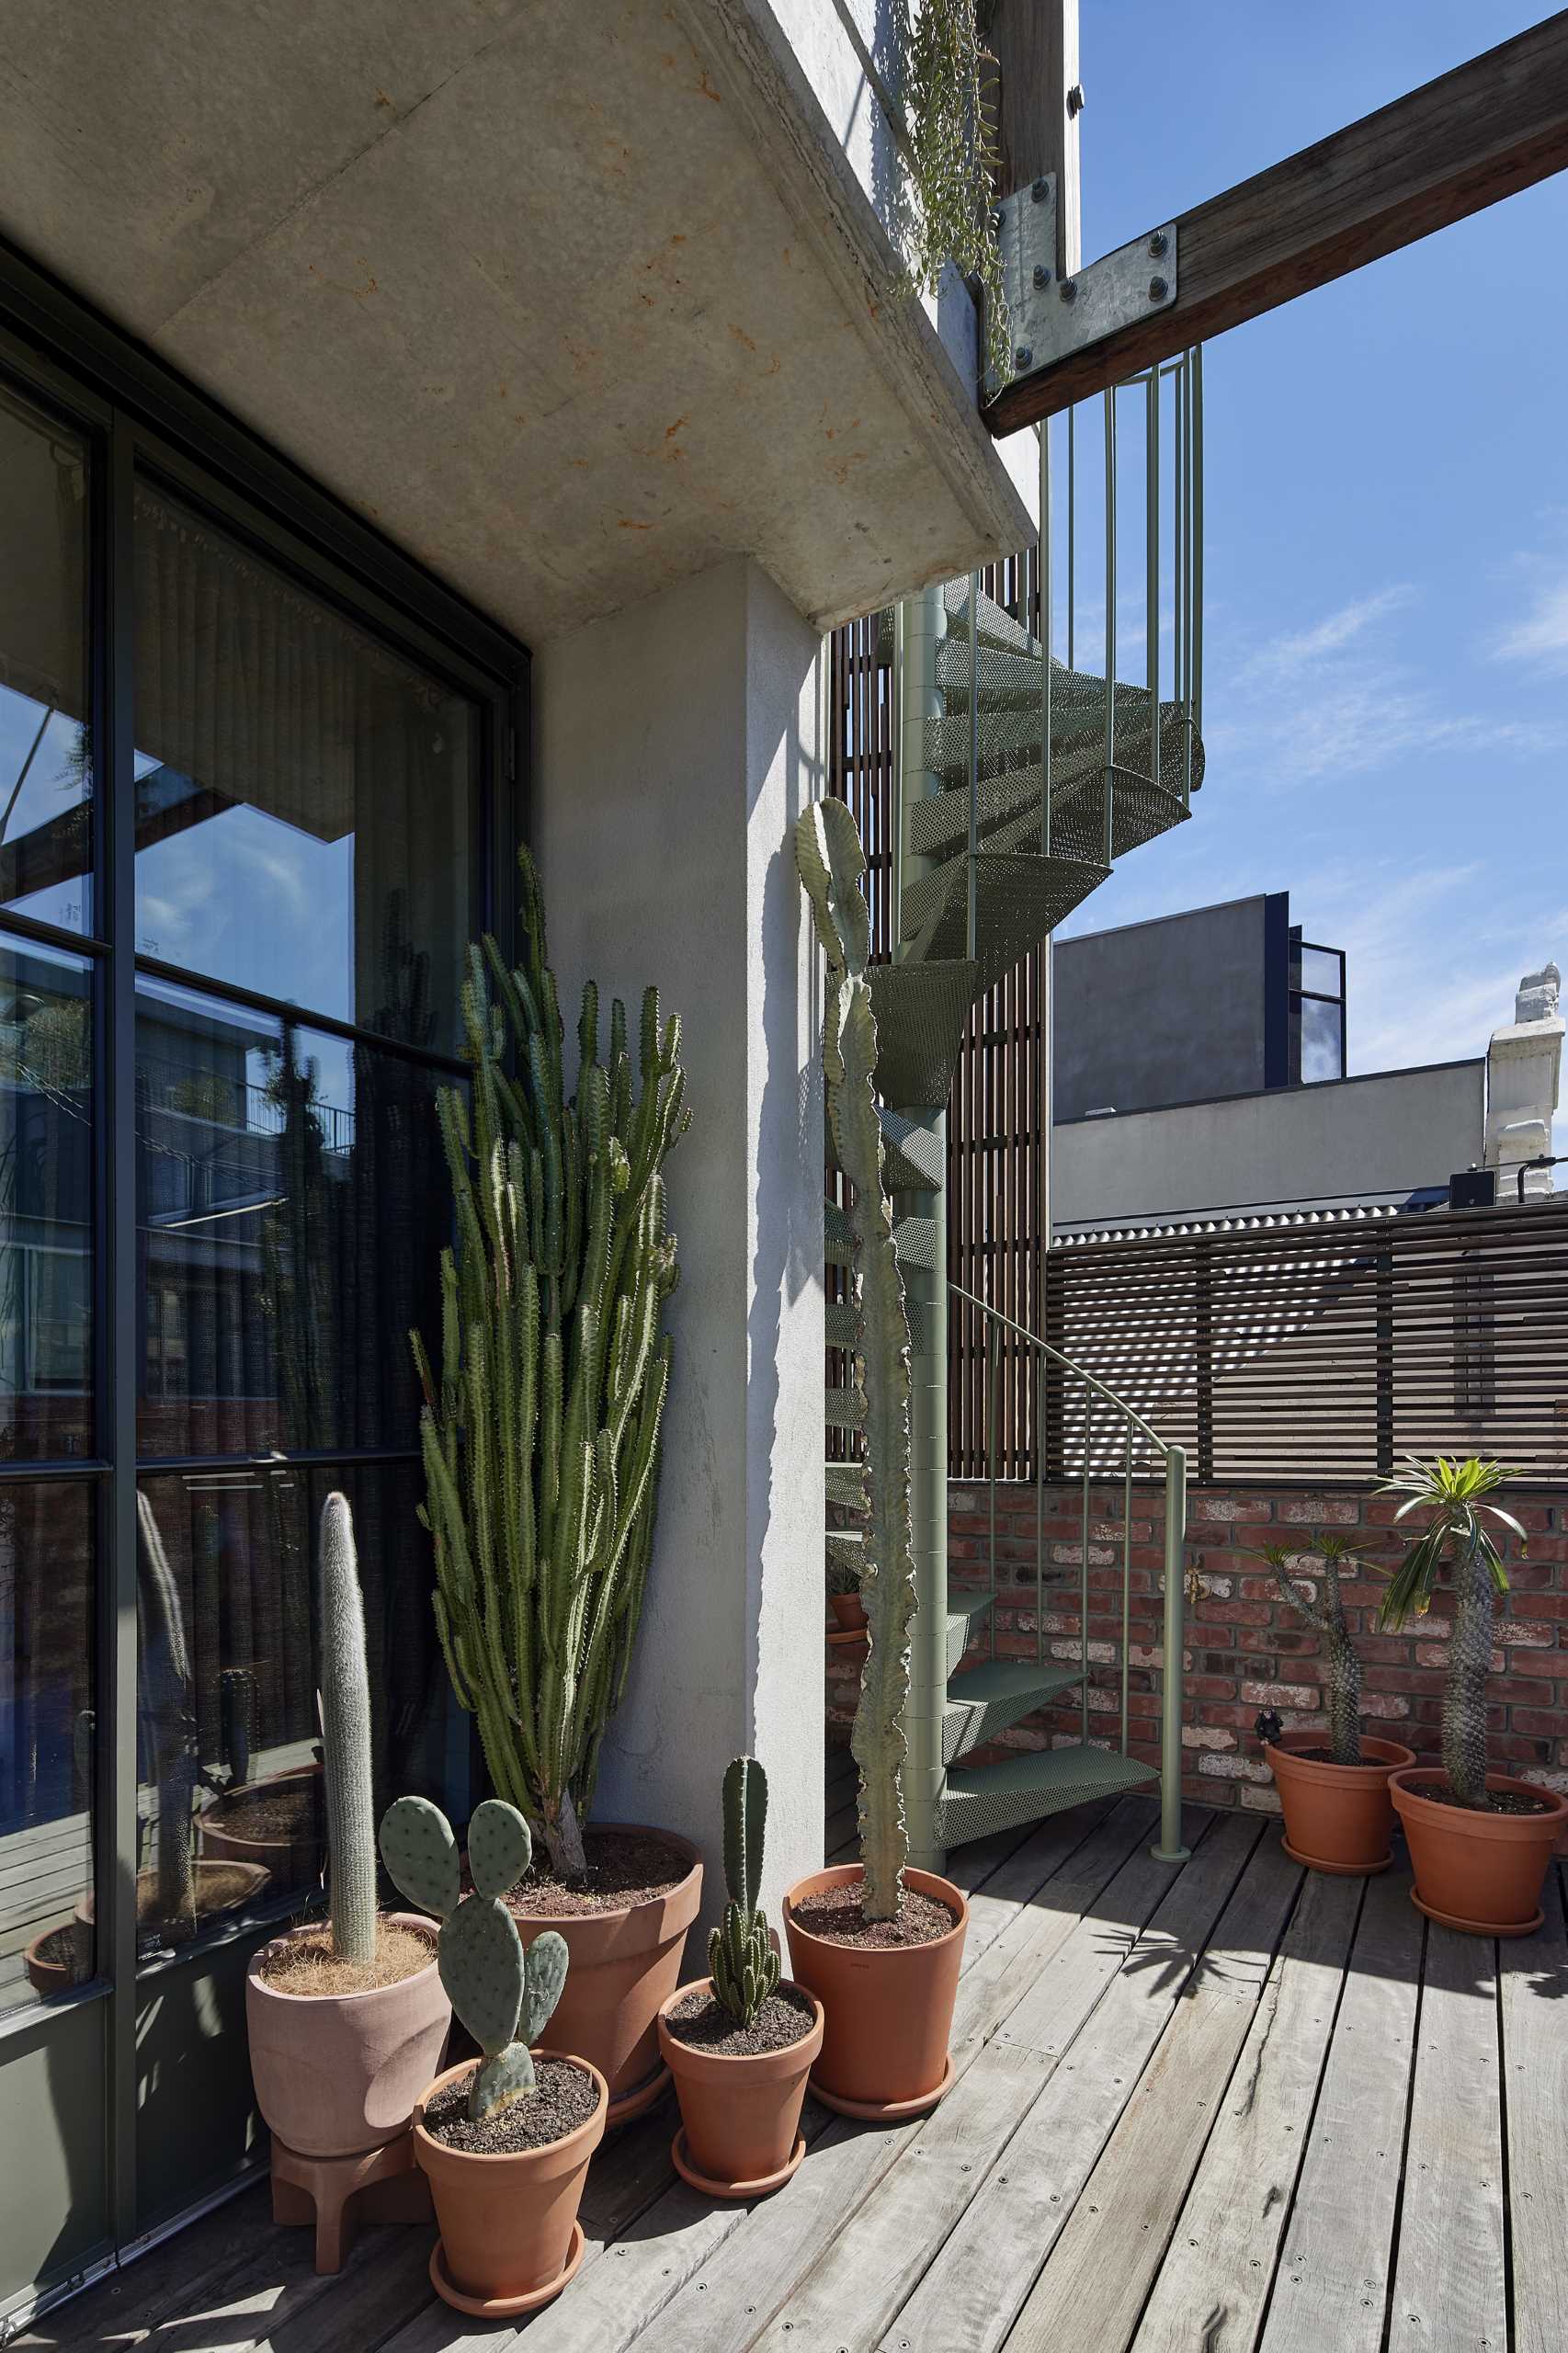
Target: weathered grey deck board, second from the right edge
(1449, 2284)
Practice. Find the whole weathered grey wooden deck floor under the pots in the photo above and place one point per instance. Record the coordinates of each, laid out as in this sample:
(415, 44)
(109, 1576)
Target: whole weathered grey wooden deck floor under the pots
(1197, 2112)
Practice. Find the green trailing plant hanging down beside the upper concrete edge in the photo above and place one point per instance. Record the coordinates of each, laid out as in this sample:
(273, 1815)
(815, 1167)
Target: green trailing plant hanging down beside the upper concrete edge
(952, 156)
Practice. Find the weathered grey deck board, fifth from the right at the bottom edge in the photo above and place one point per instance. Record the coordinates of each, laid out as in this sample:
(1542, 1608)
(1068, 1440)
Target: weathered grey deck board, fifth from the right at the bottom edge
(1115, 2239)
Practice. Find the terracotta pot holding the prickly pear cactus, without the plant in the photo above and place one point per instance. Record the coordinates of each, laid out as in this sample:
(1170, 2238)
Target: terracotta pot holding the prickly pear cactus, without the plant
(507, 2222)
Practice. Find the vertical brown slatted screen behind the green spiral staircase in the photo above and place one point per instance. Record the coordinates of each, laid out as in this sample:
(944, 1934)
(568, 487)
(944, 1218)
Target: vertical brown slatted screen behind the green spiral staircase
(995, 1112)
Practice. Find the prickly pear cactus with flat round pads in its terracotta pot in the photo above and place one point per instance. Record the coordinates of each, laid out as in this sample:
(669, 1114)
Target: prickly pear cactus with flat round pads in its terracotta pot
(503, 2140)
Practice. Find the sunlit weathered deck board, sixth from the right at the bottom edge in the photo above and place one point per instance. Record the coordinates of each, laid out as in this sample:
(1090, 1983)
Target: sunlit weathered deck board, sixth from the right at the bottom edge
(1089, 2065)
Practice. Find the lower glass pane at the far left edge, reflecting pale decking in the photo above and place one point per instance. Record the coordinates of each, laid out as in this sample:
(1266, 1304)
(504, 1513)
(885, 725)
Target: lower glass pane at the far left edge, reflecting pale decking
(46, 1740)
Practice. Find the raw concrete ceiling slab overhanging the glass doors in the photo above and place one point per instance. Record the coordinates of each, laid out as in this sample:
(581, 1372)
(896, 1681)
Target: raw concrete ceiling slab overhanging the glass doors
(571, 302)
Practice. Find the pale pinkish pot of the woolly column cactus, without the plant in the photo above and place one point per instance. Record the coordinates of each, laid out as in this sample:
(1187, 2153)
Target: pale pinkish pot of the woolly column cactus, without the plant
(340, 2074)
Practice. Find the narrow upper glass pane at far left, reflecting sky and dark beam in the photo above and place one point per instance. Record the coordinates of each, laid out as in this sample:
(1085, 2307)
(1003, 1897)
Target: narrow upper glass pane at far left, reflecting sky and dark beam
(46, 764)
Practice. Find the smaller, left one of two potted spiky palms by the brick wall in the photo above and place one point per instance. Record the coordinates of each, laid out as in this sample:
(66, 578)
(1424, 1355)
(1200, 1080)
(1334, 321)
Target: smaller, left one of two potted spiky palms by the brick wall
(1334, 1785)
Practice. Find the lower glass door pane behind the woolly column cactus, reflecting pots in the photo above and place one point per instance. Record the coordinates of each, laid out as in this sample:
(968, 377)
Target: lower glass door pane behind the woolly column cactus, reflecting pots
(230, 1754)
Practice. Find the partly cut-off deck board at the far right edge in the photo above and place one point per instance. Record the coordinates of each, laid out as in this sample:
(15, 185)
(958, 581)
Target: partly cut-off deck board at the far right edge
(1536, 2100)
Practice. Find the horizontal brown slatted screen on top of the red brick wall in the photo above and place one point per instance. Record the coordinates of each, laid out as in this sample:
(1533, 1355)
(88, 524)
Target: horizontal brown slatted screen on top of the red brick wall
(1324, 1352)
